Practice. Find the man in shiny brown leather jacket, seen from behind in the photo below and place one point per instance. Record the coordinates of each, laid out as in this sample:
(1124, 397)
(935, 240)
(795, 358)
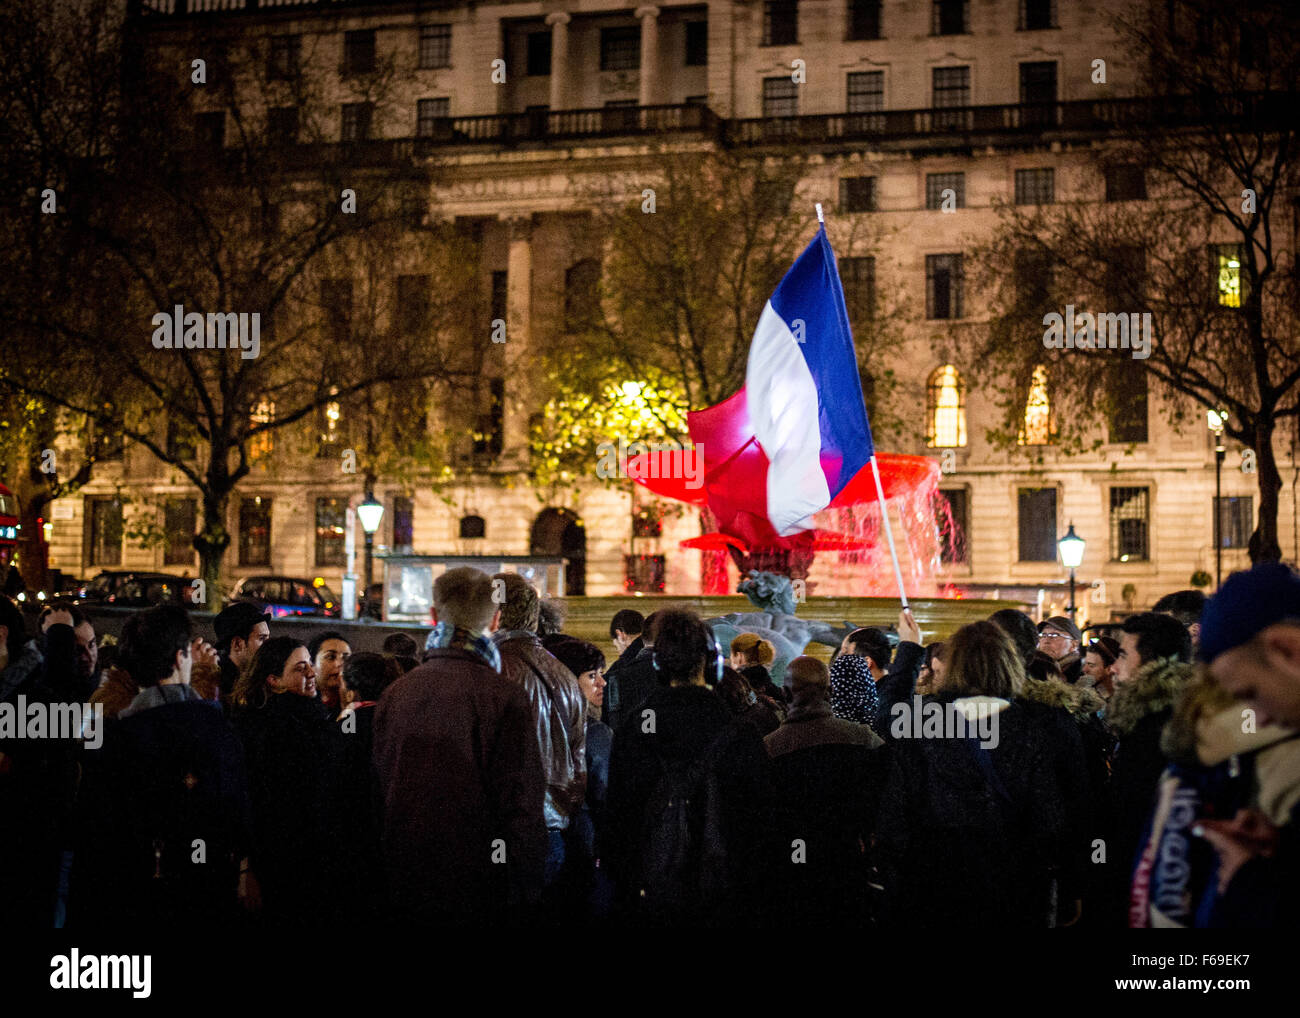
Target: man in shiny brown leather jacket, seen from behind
(558, 707)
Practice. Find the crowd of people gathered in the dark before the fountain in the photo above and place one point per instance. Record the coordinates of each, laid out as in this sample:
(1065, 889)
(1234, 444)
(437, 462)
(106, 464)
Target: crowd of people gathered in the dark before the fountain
(506, 773)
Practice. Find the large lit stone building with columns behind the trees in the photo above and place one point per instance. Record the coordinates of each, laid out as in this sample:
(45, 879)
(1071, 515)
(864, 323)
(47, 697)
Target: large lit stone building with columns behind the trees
(898, 102)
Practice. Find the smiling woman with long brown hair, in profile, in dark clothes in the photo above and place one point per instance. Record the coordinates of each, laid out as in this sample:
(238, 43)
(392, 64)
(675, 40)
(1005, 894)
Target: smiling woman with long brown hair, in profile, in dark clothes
(293, 752)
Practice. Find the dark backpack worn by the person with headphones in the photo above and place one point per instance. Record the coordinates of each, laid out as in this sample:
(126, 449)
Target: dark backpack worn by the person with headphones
(683, 863)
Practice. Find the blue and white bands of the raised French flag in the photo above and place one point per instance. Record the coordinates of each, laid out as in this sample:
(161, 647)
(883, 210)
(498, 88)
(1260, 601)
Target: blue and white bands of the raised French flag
(805, 397)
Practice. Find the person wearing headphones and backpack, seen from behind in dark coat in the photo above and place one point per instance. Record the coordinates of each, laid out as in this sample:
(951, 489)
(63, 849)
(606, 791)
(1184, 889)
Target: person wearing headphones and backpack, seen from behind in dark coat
(690, 794)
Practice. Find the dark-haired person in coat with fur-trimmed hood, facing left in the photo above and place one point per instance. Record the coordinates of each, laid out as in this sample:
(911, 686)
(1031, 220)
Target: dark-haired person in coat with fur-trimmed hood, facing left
(1151, 670)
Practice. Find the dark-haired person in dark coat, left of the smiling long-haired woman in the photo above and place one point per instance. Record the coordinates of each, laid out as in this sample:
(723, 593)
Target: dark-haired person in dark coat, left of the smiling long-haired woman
(170, 777)
